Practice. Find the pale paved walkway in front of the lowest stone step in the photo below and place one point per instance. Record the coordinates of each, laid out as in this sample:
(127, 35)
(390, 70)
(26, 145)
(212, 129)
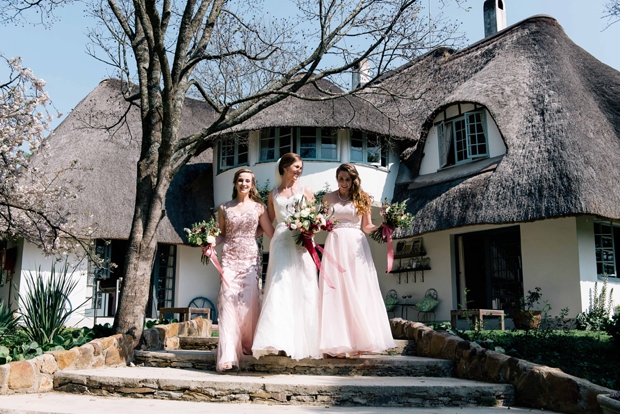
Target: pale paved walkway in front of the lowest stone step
(62, 403)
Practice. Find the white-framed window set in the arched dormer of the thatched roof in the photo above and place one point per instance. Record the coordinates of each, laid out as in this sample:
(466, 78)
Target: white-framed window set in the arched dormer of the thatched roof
(462, 139)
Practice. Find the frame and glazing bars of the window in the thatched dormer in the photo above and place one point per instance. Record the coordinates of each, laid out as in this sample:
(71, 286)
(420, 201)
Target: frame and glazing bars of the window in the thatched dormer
(467, 139)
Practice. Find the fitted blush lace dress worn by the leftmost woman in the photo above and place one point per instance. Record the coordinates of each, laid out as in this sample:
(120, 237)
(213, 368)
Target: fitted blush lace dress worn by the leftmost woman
(238, 304)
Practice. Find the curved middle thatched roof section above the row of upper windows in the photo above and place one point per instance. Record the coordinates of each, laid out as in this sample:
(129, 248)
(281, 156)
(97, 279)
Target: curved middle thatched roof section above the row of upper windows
(345, 112)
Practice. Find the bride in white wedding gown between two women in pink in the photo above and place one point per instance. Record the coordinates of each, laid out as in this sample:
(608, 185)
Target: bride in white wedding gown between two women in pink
(289, 318)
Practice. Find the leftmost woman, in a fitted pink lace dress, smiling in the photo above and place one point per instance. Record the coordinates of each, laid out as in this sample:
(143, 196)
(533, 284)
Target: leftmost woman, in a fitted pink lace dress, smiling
(238, 304)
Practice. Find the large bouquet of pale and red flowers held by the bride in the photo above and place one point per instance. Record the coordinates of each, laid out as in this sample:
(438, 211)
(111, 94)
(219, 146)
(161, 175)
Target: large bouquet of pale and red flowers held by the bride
(310, 218)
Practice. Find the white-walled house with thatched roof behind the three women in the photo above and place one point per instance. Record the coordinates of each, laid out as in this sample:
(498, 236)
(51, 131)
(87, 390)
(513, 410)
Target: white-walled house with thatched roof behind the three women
(506, 159)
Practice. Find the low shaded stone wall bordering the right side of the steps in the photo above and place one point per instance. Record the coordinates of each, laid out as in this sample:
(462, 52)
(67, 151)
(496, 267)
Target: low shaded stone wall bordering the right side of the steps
(536, 386)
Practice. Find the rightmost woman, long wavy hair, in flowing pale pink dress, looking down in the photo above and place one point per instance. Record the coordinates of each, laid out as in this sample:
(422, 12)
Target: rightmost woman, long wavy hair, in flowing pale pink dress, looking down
(353, 317)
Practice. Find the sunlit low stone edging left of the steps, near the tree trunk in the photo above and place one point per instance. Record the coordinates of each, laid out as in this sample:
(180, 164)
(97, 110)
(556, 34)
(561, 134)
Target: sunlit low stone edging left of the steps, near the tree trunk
(37, 375)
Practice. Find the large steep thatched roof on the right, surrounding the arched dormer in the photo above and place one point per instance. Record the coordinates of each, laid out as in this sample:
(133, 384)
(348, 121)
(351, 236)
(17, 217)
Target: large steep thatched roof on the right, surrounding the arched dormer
(557, 108)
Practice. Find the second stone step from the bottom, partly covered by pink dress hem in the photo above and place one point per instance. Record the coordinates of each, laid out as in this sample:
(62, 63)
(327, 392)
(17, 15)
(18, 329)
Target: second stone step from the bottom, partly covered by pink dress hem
(376, 365)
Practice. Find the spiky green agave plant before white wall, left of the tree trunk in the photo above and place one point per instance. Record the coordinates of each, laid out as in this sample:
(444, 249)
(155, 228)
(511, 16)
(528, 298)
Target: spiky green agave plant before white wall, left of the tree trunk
(45, 306)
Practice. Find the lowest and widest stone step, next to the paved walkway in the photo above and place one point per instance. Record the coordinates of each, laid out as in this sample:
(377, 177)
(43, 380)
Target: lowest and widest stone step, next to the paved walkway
(179, 384)
